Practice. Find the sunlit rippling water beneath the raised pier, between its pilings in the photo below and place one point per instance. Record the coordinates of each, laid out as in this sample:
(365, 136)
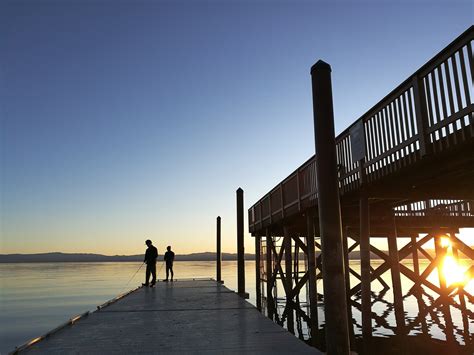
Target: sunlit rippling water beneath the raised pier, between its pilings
(433, 323)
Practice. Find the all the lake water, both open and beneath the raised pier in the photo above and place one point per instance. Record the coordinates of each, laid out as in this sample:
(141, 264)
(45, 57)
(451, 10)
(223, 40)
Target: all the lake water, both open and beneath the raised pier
(34, 298)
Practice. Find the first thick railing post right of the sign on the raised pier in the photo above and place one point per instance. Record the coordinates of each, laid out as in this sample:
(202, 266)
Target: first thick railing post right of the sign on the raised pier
(421, 112)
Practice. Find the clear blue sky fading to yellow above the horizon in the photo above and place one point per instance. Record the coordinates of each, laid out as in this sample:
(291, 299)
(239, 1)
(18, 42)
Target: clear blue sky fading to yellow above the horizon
(128, 120)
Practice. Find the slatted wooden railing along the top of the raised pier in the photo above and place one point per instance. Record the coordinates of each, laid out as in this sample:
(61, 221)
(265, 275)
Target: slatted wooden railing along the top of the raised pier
(430, 113)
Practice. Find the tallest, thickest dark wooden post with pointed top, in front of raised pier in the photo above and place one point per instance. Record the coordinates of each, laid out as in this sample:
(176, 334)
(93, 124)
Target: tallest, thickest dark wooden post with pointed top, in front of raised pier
(335, 304)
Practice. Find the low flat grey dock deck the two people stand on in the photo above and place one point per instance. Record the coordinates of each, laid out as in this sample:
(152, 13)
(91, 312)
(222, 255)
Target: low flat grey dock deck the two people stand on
(199, 316)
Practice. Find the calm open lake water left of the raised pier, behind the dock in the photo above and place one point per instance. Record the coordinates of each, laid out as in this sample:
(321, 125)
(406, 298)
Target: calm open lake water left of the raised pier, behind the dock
(37, 297)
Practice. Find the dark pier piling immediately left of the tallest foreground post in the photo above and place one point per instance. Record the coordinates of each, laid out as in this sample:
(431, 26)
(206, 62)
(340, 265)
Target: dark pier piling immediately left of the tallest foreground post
(313, 292)
